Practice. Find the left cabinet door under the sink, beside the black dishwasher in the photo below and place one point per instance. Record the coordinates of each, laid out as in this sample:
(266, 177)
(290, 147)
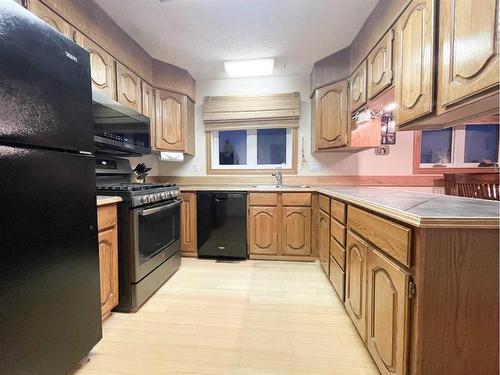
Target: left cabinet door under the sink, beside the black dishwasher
(263, 228)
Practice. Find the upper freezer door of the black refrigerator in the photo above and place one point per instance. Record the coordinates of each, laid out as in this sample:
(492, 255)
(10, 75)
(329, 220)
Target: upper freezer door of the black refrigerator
(45, 95)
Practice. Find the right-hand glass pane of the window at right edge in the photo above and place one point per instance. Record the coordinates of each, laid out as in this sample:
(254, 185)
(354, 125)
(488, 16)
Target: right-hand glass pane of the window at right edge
(481, 143)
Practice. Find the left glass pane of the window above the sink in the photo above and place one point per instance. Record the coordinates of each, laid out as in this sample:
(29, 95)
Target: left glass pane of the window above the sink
(233, 147)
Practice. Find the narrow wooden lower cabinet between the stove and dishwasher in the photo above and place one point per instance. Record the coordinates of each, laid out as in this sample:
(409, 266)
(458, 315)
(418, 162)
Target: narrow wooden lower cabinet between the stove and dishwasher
(189, 241)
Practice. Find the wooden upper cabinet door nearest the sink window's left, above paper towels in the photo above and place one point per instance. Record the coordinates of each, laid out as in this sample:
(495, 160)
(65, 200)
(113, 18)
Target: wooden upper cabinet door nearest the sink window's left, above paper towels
(171, 121)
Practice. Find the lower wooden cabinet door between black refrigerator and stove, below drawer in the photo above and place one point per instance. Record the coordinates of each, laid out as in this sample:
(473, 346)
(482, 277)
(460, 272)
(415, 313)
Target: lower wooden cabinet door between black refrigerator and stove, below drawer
(108, 269)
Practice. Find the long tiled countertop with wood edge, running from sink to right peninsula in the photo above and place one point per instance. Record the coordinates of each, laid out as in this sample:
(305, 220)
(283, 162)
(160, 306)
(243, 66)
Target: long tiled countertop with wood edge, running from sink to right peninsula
(418, 209)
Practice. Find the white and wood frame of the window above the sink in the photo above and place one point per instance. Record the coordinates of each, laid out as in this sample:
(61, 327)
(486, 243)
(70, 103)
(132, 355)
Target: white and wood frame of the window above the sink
(212, 148)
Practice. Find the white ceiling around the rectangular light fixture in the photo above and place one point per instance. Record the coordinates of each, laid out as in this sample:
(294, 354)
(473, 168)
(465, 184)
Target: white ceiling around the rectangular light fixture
(199, 35)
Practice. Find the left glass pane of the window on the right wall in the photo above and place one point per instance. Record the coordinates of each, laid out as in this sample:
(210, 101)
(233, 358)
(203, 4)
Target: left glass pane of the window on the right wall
(436, 146)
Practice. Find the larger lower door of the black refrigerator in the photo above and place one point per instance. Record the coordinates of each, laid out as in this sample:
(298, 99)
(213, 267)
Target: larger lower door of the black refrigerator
(49, 268)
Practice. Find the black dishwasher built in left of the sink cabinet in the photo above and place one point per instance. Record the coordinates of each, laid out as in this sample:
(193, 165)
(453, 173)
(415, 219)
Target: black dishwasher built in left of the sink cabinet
(222, 224)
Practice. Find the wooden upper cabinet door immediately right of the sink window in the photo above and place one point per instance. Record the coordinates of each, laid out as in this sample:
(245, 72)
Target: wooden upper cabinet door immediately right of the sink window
(330, 119)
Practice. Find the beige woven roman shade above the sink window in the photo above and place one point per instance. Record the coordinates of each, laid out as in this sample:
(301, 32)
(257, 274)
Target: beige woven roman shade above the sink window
(250, 112)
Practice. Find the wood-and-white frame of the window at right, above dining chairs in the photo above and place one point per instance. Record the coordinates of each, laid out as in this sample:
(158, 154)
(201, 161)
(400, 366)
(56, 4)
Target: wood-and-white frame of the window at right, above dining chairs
(457, 153)
